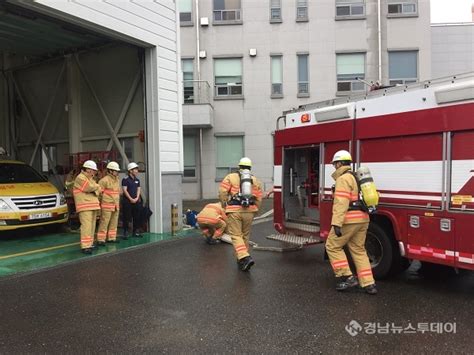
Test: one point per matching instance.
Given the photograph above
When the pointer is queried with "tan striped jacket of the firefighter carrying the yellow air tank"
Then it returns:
(346, 191)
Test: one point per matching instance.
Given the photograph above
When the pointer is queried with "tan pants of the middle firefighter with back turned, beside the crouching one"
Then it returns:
(238, 227)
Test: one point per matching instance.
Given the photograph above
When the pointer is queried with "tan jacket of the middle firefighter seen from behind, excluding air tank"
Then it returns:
(231, 186)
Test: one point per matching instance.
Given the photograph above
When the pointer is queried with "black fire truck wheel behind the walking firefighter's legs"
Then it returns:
(380, 250)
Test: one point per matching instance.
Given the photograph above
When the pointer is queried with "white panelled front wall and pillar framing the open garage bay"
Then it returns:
(150, 24)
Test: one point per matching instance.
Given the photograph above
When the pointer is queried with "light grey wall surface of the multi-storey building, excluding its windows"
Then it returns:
(322, 37)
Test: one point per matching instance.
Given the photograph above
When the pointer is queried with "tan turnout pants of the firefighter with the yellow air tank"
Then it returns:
(353, 235)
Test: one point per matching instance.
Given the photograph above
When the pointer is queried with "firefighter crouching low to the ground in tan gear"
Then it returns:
(212, 222)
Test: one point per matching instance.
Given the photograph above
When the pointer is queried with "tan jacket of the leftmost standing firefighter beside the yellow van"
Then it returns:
(85, 192)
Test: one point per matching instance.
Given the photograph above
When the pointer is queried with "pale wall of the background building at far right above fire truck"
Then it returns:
(452, 49)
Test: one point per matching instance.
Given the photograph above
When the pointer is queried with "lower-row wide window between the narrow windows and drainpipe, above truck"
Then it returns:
(350, 67)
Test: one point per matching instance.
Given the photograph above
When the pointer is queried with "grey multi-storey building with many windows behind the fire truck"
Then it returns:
(245, 61)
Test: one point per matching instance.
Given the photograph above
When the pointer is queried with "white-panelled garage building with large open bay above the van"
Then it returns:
(88, 76)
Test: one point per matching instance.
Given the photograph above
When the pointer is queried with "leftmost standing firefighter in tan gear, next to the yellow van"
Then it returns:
(86, 198)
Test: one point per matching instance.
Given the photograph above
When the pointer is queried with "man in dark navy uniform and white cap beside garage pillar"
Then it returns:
(131, 201)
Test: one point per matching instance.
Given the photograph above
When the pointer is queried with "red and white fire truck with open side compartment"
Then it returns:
(418, 142)
